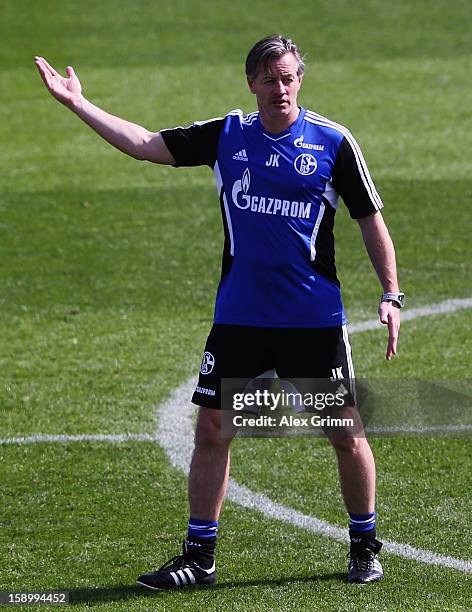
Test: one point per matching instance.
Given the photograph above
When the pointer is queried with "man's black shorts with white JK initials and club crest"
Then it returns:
(240, 352)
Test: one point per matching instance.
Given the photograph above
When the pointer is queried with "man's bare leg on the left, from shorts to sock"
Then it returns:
(209, 470)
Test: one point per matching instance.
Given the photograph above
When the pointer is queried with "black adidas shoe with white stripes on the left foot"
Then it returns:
(180, 571)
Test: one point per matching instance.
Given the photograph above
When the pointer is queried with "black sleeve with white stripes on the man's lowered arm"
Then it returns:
(351, 180)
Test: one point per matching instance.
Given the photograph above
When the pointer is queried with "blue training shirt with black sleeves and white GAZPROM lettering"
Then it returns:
(278, 195)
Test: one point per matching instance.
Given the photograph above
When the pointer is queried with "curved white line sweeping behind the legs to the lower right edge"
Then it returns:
(175, 435)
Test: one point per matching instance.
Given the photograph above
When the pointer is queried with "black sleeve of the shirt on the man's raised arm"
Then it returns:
(195, 145)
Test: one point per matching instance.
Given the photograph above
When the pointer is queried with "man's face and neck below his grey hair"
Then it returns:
(276, 91)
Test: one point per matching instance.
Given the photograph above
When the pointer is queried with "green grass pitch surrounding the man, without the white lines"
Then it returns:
(108, 270)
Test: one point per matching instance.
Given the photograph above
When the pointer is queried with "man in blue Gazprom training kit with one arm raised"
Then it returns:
(279, 174)
